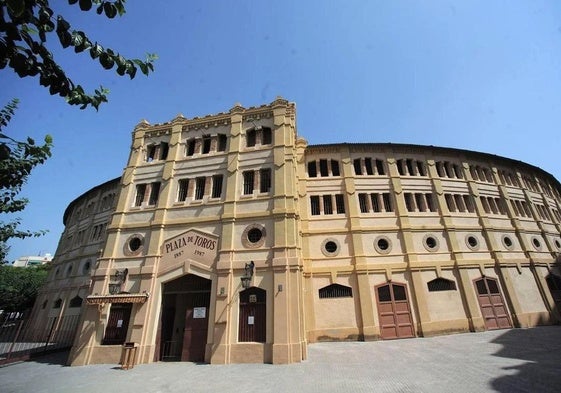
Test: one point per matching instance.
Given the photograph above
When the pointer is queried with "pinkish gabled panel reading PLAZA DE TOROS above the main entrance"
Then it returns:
(193, 245)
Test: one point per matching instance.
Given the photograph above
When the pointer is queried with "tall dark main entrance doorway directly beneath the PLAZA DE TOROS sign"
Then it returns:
(184, 320)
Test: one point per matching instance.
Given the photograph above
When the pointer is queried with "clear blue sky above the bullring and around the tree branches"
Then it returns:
(475, 75)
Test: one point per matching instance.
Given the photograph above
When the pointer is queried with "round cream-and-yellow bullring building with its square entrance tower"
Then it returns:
(229, 239)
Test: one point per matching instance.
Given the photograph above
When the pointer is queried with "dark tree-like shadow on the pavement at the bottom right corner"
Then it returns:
(540, 349)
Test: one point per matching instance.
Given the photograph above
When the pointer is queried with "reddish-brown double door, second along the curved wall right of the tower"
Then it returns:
(493, 308)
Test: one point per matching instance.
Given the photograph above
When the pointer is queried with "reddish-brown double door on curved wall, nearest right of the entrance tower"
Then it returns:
(394, 312)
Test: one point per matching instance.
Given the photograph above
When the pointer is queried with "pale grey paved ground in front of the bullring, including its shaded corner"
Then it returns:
(516, 360)
